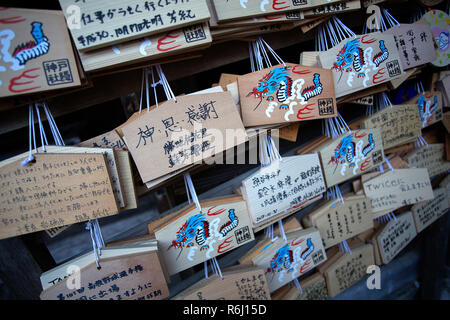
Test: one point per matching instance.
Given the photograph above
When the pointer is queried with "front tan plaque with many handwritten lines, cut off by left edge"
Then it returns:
(56, 190)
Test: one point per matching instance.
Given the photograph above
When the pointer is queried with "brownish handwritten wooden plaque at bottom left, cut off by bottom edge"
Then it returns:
(135, 277)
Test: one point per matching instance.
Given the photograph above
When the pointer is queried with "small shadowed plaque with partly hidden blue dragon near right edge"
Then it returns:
(430, 107)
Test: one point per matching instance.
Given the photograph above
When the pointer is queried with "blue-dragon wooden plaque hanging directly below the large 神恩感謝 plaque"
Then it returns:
(192, 237)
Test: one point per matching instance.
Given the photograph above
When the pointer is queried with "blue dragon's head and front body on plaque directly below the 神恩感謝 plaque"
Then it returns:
(196, 228)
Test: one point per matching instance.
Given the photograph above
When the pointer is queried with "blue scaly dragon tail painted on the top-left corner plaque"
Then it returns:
(32, 49)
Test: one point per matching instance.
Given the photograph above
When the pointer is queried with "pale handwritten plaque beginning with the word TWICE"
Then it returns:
(394, 189)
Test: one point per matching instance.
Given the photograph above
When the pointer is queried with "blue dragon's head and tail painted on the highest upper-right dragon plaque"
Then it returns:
(352, 55)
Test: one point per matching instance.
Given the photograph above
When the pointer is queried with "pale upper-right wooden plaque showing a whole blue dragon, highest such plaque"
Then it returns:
(361, 62)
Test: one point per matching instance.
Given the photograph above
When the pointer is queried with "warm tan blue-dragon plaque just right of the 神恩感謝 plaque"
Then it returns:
(288, 93)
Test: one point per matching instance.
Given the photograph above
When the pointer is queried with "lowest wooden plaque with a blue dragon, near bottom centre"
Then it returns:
(284, 262)
